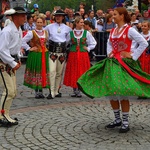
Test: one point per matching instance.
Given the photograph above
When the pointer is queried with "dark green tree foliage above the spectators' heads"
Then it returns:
(45, 5)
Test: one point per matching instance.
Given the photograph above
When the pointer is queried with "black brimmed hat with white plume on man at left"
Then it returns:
(15, 10)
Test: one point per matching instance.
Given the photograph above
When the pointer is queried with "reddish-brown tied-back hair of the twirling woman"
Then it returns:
(123, 11)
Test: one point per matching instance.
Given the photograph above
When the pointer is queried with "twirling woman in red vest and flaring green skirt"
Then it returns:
(119, 76)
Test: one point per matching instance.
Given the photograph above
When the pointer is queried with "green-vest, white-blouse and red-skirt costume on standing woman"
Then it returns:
(78, 61)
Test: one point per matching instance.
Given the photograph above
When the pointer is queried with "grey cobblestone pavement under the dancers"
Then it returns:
(72, 123)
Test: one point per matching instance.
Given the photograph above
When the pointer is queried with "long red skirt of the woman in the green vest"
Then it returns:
(77, 64)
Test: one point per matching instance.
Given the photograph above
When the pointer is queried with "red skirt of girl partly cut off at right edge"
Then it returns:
(145, 62)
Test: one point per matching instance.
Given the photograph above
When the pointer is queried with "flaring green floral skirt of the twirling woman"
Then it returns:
(109, 78)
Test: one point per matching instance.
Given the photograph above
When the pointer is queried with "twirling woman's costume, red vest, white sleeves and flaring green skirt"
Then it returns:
(116, 77)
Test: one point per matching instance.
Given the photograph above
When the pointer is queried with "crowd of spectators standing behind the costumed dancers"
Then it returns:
(95, 21)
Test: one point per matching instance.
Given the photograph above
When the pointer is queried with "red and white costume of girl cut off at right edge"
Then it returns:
(145, 57)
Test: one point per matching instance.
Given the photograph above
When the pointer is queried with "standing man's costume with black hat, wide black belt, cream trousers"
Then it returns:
(58, 39)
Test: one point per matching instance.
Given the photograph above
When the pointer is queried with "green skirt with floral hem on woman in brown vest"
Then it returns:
(33, 71)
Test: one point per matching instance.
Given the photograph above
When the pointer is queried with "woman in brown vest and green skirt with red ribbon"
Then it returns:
(37, 66)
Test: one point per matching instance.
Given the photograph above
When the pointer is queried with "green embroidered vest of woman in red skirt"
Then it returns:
(81, 43)
